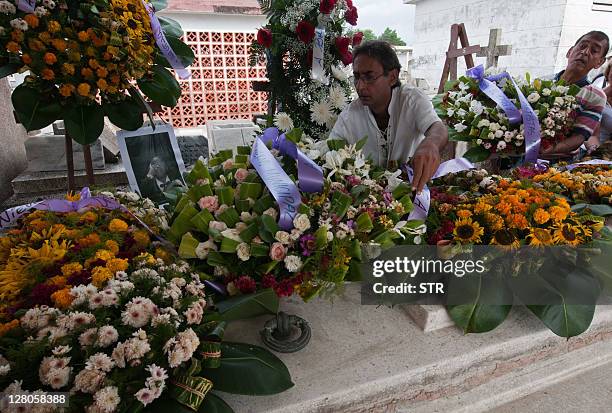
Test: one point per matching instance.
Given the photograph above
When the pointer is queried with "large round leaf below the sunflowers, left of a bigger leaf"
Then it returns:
(475, 317)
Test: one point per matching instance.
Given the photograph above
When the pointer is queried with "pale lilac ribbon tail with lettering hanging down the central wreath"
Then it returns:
(278, 182)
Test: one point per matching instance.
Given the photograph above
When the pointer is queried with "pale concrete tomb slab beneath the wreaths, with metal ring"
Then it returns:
(366, 358)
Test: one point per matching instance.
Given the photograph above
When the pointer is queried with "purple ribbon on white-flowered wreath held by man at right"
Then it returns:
(530, 119)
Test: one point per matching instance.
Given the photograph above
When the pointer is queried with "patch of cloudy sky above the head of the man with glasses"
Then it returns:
(379, 14)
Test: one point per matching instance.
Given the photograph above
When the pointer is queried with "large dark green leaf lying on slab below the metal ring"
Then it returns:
(259, 371)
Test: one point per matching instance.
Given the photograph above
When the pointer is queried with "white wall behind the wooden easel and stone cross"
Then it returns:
(534, 29)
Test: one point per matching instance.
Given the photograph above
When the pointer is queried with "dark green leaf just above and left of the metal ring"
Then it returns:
(247, 306)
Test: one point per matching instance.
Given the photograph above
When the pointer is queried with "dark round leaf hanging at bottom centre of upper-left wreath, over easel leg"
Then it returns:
(84, 124)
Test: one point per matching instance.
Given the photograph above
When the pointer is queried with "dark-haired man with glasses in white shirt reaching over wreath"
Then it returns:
(399, 121)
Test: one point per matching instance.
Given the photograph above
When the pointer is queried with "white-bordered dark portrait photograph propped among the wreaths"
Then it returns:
(152, 161)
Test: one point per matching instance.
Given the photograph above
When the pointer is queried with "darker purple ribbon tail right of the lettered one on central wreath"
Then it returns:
(310, 175)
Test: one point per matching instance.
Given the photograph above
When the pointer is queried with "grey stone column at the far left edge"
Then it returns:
(12, 137)
